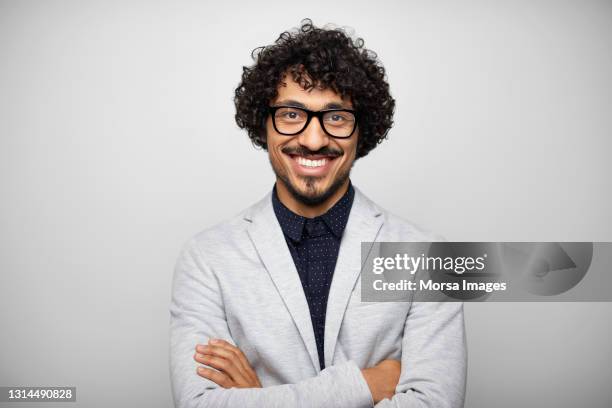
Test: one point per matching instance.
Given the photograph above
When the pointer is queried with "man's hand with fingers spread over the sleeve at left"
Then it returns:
(233, 367)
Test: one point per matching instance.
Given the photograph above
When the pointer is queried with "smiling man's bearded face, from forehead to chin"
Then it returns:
(312, 165)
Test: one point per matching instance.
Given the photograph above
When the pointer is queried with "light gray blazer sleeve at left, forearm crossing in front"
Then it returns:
(197, 314)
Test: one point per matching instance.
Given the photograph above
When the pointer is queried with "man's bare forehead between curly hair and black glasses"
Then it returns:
(314, 98)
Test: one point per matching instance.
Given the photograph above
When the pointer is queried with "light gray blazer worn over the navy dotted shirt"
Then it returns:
(237, 281)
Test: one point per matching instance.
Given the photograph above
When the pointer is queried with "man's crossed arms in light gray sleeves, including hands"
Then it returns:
(431, 372)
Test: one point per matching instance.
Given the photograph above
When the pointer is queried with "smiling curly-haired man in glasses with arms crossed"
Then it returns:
(266, 308)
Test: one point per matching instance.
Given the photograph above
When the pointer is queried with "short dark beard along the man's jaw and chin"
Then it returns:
(311, 196)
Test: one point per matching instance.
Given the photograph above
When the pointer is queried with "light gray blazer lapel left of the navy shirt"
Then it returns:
(269, 241)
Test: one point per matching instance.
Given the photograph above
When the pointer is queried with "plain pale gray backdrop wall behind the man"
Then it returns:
(117, 144)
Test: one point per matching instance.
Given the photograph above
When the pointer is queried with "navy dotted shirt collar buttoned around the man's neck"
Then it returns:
(335, 218)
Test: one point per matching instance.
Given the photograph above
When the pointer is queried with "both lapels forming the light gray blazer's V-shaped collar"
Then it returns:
(363, 225)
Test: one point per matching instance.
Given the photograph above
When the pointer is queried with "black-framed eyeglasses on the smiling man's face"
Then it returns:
(289, 120)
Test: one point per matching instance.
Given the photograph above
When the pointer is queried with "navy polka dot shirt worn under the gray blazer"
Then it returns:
(314, 245)
